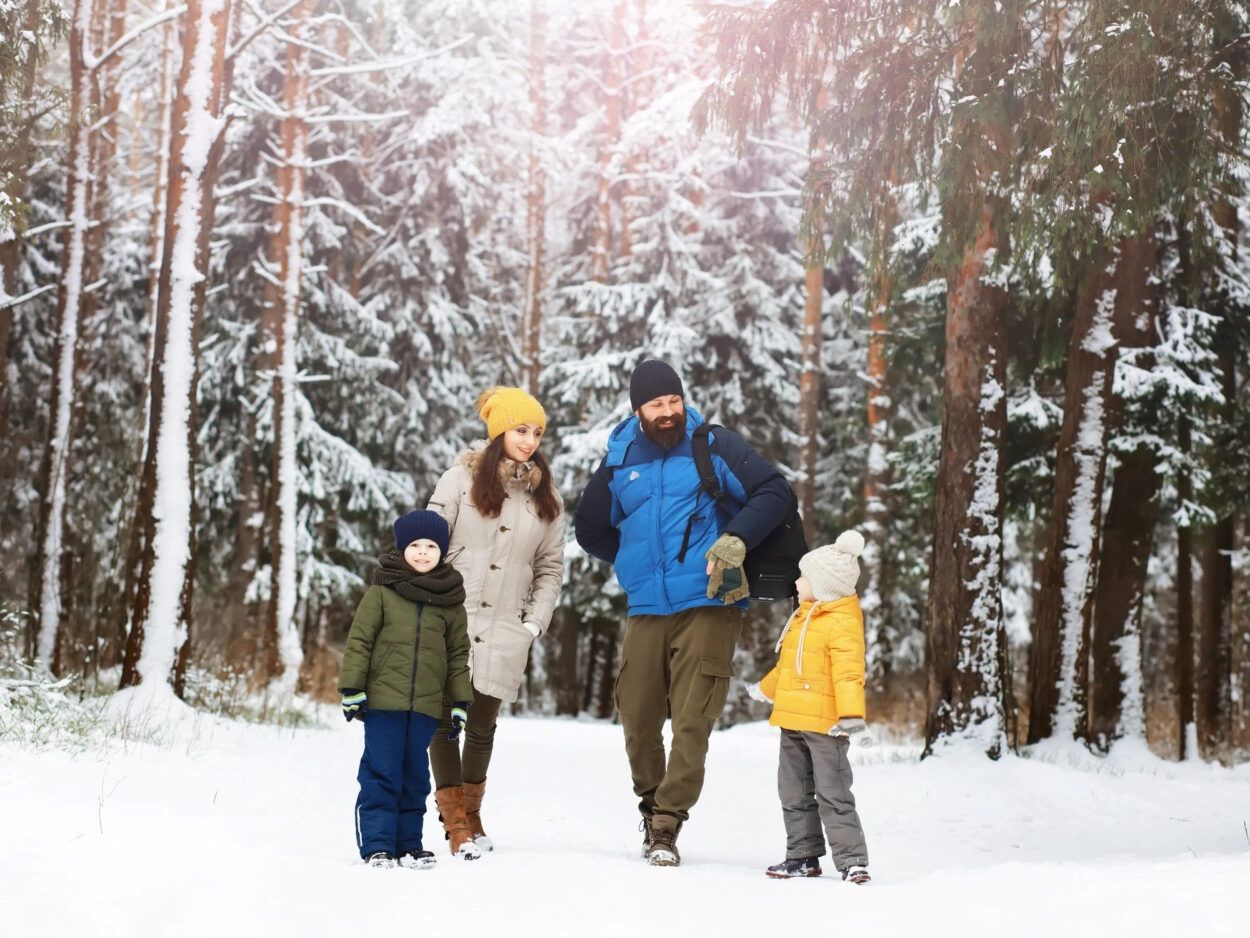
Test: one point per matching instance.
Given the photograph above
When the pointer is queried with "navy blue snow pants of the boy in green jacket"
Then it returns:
(394, 782)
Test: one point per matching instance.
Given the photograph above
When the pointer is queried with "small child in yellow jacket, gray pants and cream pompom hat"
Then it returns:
(817, 691)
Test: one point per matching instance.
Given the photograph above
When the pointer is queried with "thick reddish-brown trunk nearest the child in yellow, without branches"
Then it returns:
(966, 641)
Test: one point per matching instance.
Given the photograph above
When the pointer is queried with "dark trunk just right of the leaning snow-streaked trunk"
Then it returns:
(1116, 700)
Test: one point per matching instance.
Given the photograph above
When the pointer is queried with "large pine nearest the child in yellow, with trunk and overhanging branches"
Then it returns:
(898, 61)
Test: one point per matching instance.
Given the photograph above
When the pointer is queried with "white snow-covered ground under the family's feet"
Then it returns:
(237, 830)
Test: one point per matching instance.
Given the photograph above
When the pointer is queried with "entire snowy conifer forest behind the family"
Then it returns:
(973, 273)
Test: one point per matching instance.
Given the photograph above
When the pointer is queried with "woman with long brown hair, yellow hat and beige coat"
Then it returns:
(507, 525)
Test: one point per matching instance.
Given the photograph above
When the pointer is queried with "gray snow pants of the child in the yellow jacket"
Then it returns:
(814, 782)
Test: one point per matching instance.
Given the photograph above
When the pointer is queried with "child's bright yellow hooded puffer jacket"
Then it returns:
(819, 676)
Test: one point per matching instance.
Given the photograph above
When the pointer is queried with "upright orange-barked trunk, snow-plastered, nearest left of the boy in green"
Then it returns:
(283, 648)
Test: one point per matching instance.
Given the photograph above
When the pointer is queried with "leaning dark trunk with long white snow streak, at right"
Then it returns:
(1059, 662)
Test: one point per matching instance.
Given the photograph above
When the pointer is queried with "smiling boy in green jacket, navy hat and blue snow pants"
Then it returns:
(407, 651)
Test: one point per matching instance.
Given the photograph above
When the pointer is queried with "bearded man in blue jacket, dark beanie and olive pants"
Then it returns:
(679, 556)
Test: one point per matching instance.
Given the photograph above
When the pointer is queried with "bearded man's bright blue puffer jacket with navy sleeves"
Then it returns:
(636, 510)
